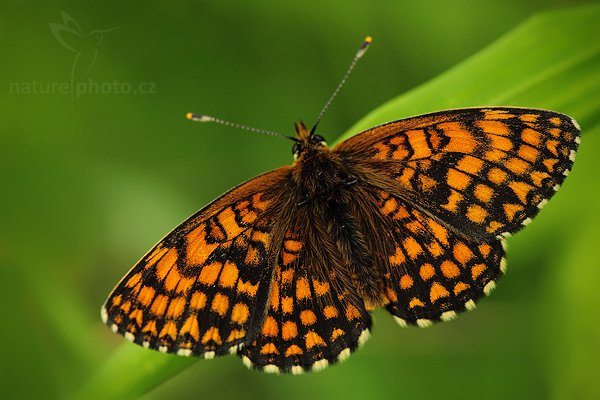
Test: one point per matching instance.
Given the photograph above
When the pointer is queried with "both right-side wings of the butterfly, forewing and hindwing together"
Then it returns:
(448, 187)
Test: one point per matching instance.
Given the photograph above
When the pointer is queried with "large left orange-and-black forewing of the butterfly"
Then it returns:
(203, 289)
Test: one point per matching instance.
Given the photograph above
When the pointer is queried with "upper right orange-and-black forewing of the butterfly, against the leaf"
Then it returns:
(483, 171)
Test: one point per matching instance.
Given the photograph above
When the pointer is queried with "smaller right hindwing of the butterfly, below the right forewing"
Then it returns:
(432, 272)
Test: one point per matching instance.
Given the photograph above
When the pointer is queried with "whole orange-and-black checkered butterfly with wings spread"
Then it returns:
(411, 215)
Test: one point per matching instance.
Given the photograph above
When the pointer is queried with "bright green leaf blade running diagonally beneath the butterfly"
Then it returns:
(550, 61)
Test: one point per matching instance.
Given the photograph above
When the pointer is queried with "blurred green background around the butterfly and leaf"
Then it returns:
(91, 180)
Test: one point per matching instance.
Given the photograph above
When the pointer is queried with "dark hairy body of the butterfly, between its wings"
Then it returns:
(329, 193)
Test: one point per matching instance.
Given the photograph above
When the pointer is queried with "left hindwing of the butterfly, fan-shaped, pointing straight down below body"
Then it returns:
(315, 317)
